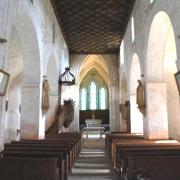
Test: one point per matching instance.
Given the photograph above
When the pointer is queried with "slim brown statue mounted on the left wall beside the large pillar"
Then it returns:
(45, 95)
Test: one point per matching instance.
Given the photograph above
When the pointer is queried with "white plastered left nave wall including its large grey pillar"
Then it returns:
(34, 25)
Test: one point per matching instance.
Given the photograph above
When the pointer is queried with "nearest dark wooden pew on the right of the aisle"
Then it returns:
(151, 167)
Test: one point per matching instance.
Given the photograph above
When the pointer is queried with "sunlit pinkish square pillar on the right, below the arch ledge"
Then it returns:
(156, 122)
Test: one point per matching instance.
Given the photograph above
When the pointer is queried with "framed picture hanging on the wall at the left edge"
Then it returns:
(4, 79)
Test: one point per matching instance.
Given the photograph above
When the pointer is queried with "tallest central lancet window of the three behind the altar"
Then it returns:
(93, 92)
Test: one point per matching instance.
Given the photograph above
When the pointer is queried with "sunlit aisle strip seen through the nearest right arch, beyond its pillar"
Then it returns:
(170, 68)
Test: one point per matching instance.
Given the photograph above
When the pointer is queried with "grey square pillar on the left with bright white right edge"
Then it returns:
(32, 123)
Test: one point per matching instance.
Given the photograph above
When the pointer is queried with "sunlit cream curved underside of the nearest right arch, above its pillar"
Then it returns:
(160, 27)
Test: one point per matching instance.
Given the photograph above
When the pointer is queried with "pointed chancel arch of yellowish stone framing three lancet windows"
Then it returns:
(94, 83)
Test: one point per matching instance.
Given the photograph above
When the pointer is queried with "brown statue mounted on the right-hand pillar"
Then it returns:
(140, 97)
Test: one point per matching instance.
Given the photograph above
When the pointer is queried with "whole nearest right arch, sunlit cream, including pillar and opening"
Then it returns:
(161, 57)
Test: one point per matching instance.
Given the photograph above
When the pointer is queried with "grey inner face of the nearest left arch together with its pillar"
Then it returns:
(31, 125)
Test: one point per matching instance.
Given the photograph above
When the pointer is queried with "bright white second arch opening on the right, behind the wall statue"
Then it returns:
(136, 116)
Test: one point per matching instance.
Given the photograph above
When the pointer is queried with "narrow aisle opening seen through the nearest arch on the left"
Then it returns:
(13, 97)
